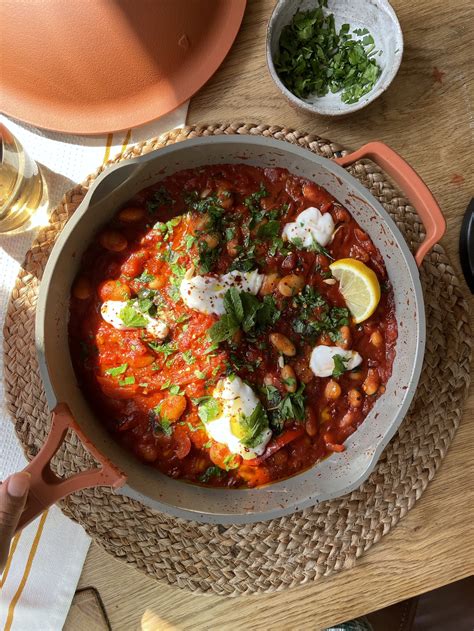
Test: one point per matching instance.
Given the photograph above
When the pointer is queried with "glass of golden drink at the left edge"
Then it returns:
(23, 193)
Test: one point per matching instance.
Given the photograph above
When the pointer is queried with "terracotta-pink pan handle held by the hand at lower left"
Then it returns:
(46, 488)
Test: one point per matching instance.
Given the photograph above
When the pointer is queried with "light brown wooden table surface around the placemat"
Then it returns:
(426, 116)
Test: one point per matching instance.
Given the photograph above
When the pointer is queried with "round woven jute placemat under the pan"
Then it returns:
(281, 553)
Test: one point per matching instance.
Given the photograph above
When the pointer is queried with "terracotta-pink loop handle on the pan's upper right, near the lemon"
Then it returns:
(412, 186)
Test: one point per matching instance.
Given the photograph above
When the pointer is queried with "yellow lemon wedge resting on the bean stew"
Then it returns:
(359, 286)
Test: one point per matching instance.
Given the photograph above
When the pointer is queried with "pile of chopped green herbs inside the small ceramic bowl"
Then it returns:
(314, 58)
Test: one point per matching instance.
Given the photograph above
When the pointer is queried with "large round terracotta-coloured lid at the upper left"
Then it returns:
(98, 66)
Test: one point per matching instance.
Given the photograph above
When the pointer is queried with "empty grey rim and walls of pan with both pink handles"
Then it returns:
(335, 476)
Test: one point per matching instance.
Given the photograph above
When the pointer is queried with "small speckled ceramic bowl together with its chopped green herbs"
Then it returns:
(332, 57)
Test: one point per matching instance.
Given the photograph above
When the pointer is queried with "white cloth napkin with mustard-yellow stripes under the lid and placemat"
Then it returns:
(46, 559)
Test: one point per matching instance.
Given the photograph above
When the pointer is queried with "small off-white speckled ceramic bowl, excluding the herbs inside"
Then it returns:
(375, 15)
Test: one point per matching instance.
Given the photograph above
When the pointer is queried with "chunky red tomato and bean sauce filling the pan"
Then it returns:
(212, 220)
